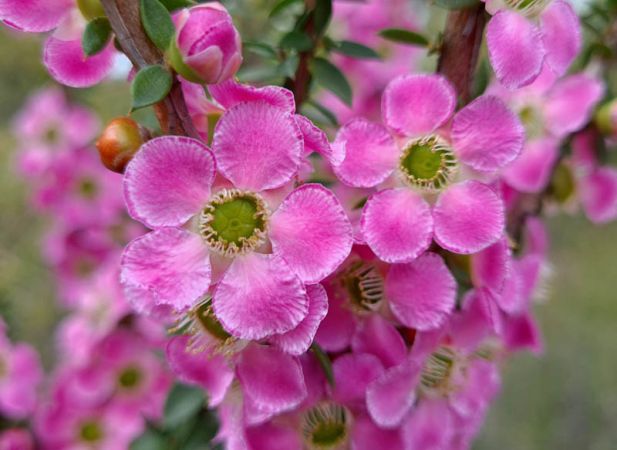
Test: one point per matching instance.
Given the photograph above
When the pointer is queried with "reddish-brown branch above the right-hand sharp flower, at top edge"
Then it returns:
(460, 48)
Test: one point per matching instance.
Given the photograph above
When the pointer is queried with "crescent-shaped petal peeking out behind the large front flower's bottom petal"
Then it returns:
(298, 340)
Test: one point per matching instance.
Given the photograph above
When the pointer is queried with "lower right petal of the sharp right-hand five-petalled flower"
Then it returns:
(469, 216)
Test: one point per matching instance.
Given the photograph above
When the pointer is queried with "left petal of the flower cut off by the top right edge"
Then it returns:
(515, 49)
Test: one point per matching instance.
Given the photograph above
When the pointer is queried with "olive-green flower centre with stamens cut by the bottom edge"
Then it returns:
(325, 427)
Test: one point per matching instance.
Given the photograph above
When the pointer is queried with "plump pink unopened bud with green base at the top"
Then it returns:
(207, 47)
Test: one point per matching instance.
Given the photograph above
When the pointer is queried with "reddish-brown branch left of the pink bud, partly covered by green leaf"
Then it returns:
(125, 21)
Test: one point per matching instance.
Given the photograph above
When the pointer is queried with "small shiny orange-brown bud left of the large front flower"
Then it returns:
(119, 142)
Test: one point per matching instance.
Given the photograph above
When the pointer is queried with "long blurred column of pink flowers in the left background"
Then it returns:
(107, 380)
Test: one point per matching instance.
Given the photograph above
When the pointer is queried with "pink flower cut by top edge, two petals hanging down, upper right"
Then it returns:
(523, 34)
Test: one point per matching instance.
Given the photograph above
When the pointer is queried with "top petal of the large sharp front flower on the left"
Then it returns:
(257, 146)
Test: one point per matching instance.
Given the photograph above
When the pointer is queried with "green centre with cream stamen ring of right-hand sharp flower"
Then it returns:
(428, 163)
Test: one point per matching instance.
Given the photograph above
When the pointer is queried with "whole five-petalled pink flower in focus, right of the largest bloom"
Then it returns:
(416, 153)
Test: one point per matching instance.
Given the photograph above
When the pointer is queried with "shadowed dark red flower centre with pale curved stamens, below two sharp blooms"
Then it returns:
(364, 285)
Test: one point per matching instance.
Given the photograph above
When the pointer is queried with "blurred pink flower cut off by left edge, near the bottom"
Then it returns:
(20, 375)
